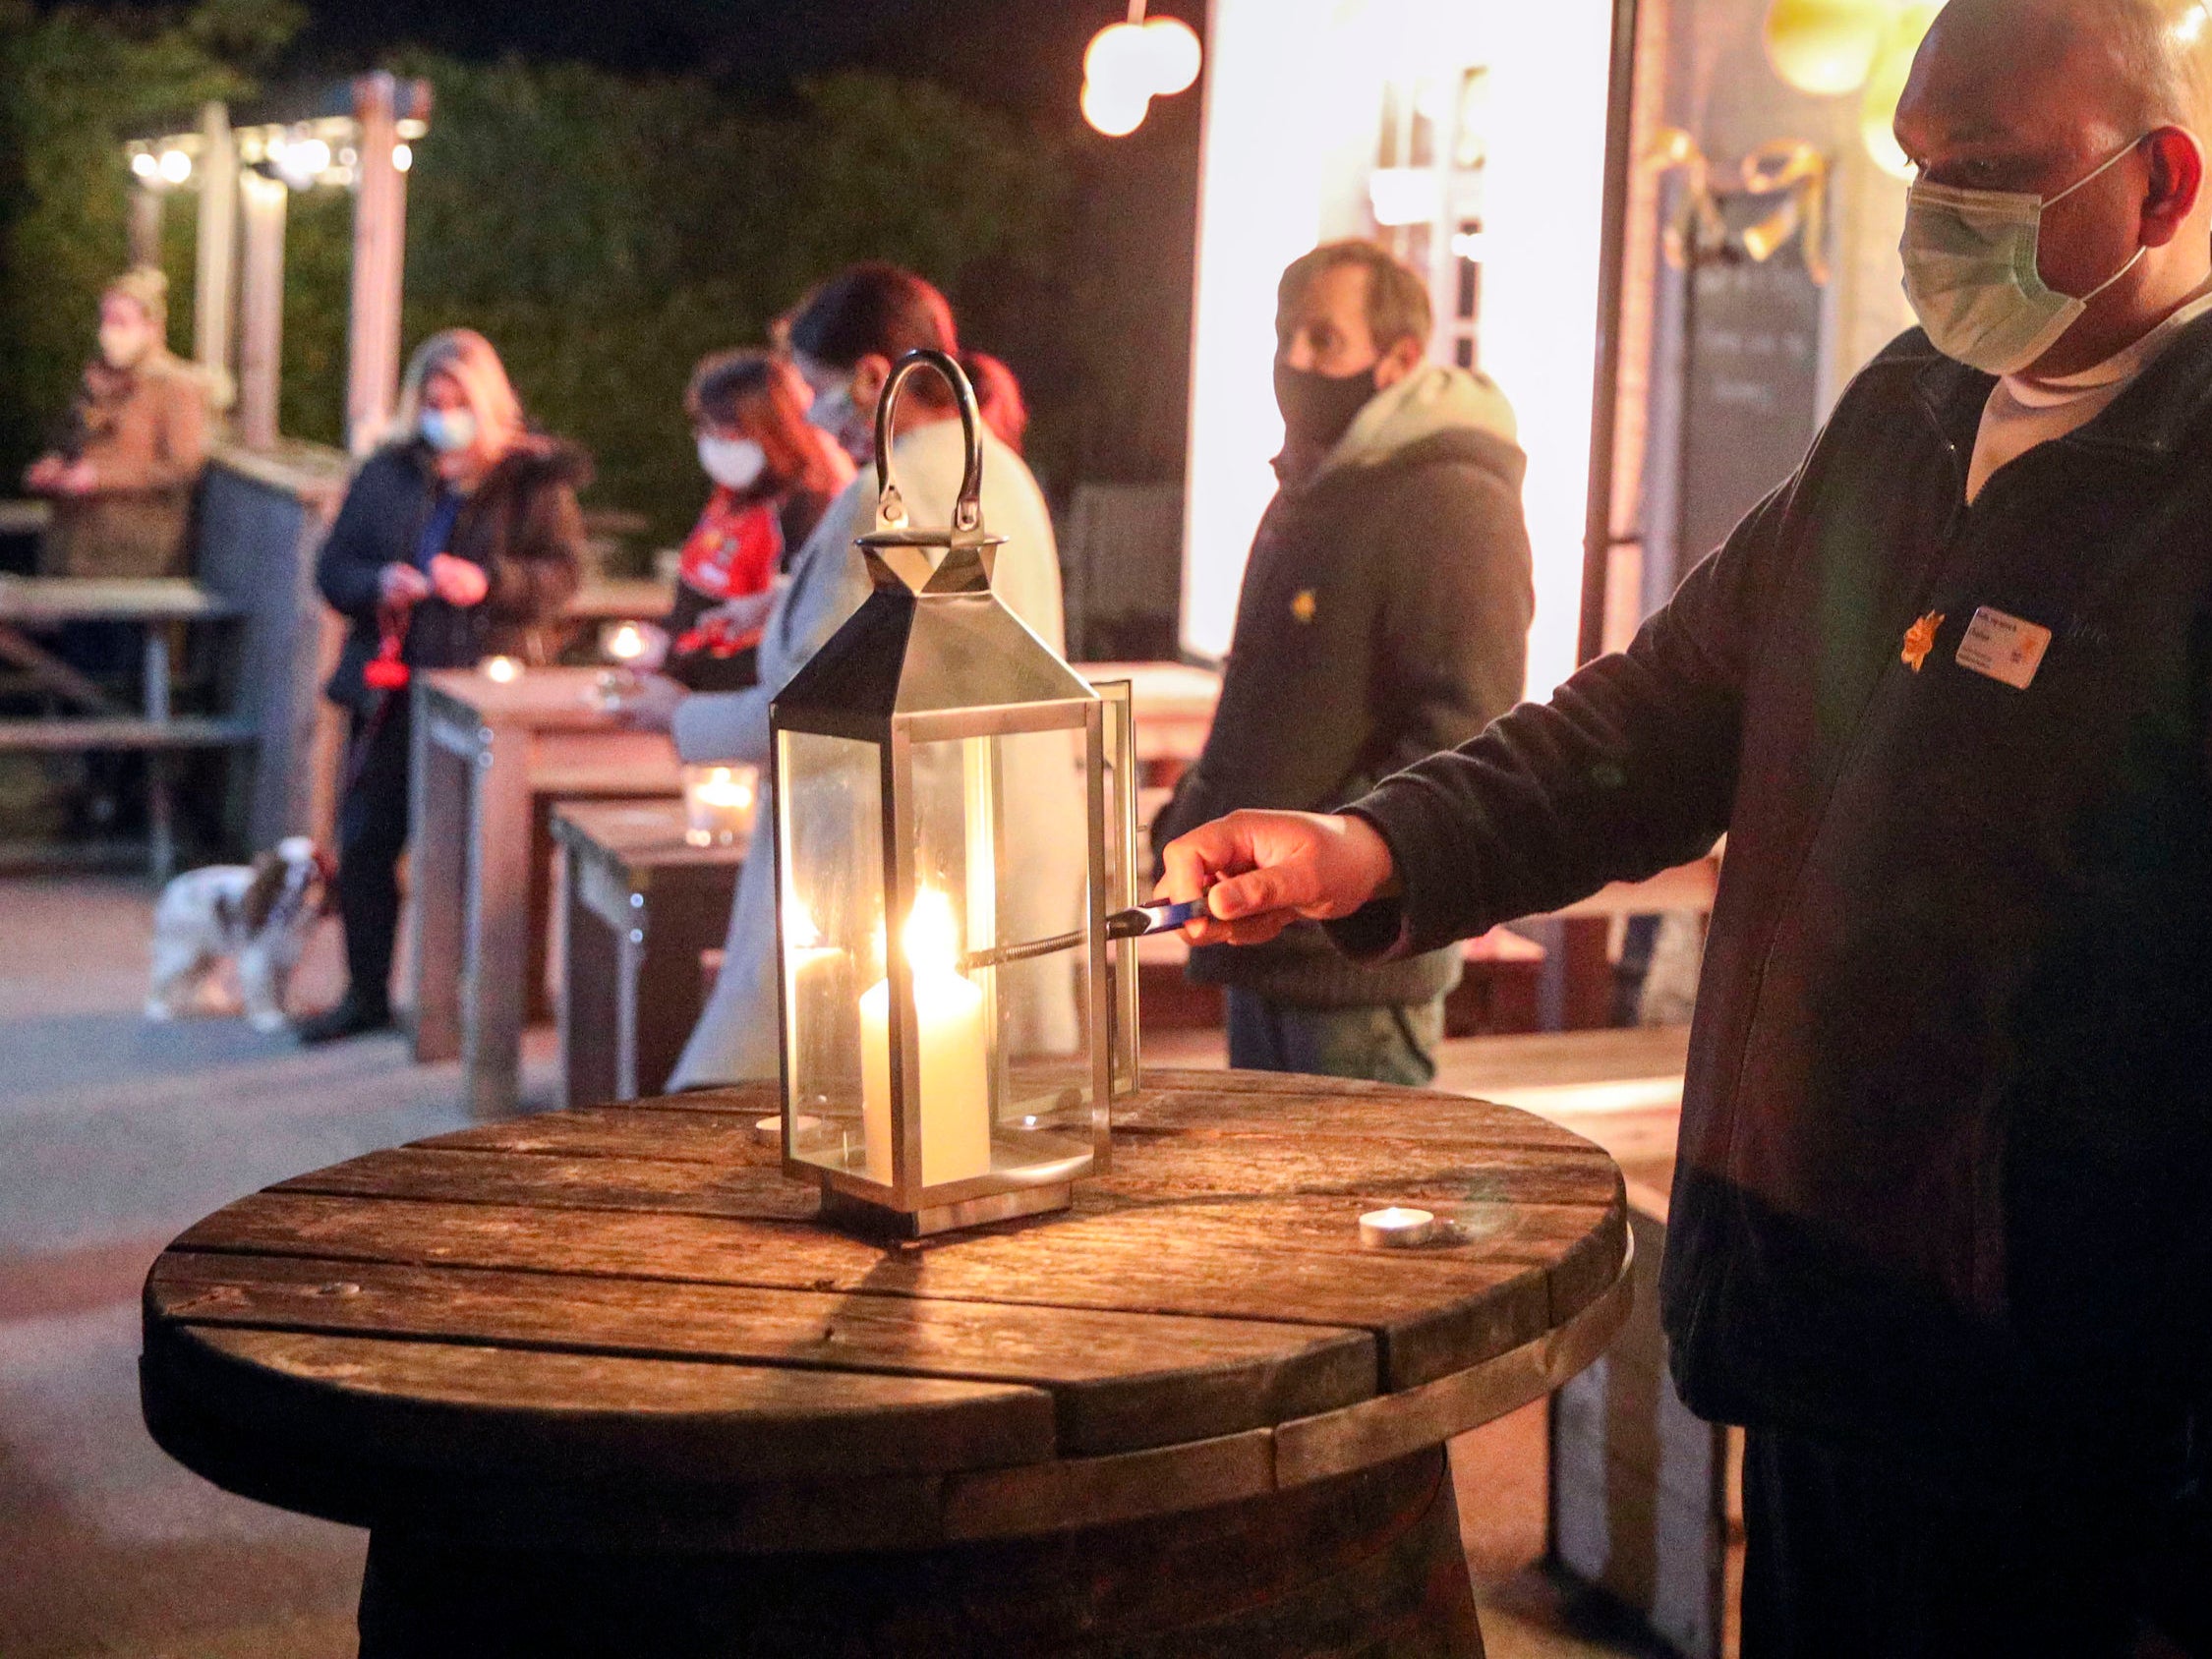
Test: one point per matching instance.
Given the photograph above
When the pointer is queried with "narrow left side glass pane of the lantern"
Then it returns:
(831, 864)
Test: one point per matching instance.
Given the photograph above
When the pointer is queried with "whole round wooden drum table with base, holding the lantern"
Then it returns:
(596, 1384)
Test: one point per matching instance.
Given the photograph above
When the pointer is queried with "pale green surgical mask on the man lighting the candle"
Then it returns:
(1972, 273)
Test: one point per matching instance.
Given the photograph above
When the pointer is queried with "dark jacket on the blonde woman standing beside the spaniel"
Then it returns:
(521, 525)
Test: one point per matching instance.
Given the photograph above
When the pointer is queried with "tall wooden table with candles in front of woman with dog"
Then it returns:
(490, 762)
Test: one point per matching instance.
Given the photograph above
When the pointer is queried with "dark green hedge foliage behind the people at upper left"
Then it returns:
(603, 231)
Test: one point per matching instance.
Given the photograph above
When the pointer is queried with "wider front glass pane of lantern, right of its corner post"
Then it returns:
(1003, 848)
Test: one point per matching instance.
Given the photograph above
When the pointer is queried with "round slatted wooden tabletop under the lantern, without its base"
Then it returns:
(640, 1293)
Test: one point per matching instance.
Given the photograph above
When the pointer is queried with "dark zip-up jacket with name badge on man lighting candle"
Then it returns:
(1945, 1171)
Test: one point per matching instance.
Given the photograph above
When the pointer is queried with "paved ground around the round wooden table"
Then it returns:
(118, 1134)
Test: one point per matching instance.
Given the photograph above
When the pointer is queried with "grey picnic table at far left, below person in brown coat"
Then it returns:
(34, 605)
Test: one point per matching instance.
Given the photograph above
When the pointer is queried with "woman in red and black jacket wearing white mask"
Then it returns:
(775, 474)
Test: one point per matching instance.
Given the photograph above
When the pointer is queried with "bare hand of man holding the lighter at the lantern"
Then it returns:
(1266, 870)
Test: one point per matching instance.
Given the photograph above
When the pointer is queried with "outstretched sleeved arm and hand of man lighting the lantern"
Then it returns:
(1631, 769)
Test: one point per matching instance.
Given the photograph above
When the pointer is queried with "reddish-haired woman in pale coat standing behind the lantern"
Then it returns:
(844, 340)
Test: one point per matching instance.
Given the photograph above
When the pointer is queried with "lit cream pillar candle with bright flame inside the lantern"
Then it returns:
(952, 1092)
